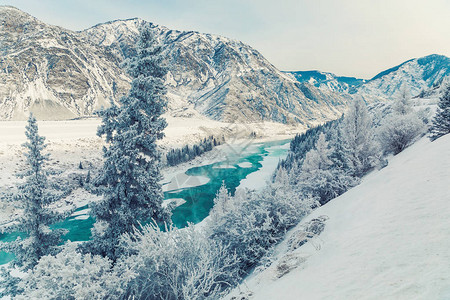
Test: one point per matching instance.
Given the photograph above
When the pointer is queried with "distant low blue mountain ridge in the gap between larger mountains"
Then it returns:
(341, 84)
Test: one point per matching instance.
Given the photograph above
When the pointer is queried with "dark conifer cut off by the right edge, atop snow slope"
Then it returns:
(441, 121)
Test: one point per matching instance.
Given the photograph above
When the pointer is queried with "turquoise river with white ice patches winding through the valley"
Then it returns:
(234, 164)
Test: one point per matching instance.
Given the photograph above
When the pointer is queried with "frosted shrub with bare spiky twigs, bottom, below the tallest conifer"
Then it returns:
(177, 264)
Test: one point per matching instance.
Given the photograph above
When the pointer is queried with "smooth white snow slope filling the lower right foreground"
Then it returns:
(387, 238)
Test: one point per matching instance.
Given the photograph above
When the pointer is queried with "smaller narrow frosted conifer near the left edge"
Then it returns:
(34, 196)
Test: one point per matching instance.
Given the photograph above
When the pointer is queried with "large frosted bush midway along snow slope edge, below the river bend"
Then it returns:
(250, 223)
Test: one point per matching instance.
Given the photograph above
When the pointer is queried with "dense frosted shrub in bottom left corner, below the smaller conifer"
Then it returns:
(71, 275)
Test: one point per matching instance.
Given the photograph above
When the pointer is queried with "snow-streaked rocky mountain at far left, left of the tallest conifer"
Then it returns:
(54, 72)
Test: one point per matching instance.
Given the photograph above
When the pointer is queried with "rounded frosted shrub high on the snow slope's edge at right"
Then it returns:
(399, 131)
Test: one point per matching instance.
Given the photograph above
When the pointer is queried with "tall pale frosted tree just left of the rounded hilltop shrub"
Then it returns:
(361, 149)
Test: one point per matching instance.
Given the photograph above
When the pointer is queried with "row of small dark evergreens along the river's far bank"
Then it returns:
(187, 153)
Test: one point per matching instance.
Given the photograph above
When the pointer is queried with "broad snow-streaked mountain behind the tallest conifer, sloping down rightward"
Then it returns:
(222, 78)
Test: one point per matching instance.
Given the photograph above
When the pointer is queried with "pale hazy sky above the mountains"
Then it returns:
(347, 37)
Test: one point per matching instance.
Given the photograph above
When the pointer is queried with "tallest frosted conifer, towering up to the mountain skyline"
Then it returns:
(131, 170)
